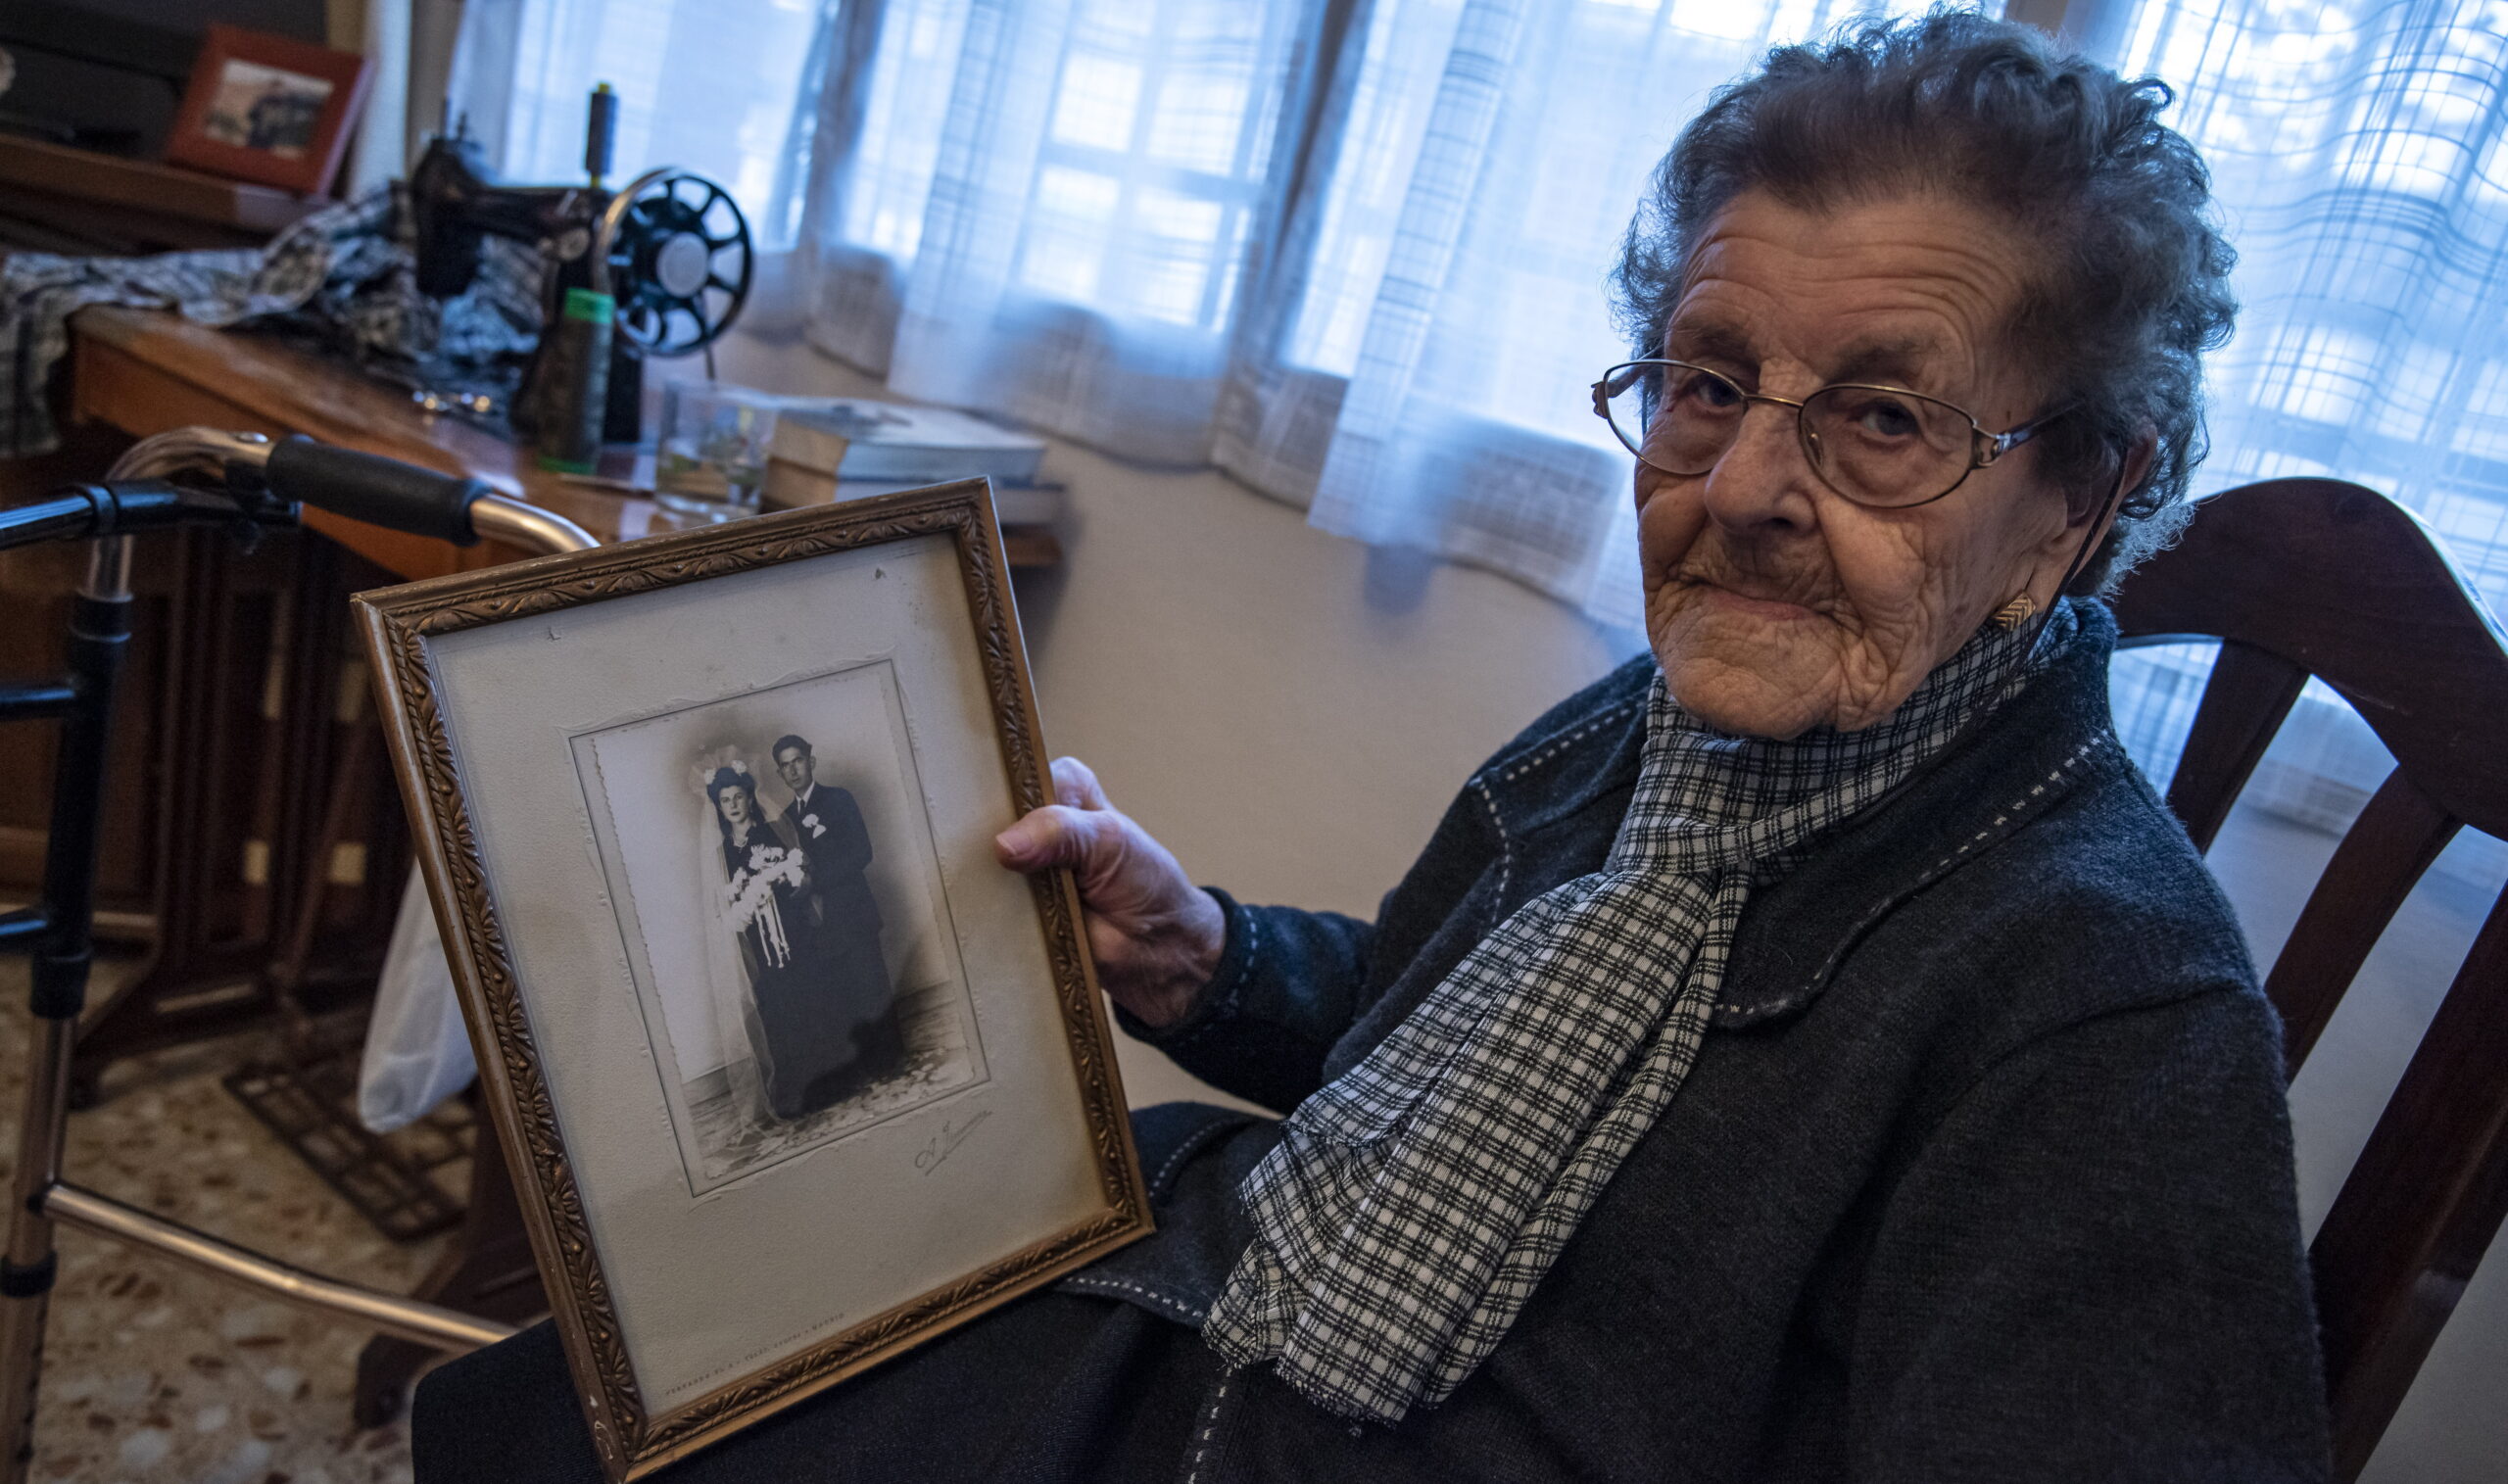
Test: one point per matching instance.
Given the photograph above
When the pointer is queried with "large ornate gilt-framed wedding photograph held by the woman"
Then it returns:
(789, 1069)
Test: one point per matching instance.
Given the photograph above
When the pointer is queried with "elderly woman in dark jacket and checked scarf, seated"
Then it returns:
(1807, 1054)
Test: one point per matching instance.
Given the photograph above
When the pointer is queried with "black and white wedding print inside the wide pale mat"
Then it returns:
(776, 884)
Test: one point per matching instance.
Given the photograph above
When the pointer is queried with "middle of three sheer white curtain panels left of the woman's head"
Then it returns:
(1047, 207)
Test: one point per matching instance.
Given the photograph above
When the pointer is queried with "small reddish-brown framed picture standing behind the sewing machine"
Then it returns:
(267, 109)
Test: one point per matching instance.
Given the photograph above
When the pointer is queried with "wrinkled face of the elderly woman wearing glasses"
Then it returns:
(1774, 603)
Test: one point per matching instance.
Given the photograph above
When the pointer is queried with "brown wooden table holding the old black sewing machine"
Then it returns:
(147, 372)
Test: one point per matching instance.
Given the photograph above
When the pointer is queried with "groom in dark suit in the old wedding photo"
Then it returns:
(844, 916)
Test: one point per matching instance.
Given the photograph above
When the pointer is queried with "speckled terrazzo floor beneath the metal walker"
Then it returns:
(164, 1377)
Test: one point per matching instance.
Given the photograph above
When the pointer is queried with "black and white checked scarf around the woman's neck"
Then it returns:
(1416, 1202)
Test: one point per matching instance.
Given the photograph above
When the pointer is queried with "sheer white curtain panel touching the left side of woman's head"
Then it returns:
(1494, 157)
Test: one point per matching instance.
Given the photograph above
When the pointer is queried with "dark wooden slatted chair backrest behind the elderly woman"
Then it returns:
(2321, 578)
